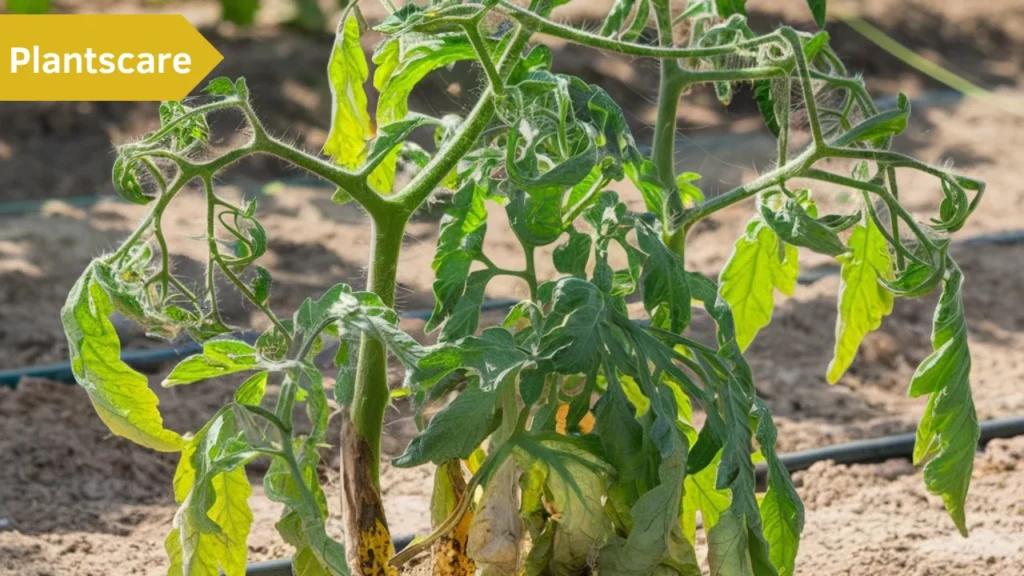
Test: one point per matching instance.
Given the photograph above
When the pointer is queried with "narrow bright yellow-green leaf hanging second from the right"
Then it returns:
(864, 301)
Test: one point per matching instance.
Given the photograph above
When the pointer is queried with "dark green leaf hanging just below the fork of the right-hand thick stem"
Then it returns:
(666, 293)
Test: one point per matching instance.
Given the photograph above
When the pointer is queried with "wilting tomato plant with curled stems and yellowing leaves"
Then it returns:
(575, 417)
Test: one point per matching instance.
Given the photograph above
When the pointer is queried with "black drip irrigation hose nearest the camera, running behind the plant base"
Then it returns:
(863, 452)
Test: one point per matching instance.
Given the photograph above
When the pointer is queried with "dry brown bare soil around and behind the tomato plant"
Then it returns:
(76, 501)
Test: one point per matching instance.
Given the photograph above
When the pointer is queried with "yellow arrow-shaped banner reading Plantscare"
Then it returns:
(102, 58)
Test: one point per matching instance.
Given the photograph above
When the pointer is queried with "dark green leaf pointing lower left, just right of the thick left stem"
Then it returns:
(455, 432)
